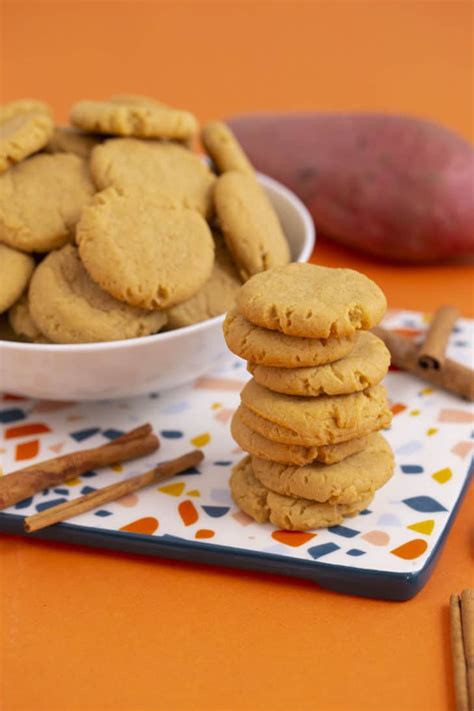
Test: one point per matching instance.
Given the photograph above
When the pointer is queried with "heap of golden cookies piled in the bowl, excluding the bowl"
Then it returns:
(113, 228)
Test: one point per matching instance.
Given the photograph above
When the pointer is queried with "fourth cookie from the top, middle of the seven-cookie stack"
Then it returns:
(312, 421)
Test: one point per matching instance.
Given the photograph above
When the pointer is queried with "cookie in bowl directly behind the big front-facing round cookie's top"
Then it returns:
(174, 173)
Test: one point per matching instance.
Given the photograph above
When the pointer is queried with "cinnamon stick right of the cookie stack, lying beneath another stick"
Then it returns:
(452, 376)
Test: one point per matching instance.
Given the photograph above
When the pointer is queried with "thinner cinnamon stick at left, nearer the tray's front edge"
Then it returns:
(163, 471)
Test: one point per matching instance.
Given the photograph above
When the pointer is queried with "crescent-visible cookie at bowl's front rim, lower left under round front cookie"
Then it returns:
(69, 307)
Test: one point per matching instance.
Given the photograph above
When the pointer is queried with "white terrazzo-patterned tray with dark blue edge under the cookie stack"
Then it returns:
(386, 552)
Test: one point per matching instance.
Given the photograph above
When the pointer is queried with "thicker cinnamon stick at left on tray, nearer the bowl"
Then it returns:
(23, 483)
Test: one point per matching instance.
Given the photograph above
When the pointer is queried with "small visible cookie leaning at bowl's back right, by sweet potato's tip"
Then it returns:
(224, 149)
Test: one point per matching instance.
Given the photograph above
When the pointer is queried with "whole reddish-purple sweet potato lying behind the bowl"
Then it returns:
(392, 186)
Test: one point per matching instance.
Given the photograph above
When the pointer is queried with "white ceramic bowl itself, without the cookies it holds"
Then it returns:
(96, 371)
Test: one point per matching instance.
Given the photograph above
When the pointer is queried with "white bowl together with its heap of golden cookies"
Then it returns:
(122, 248)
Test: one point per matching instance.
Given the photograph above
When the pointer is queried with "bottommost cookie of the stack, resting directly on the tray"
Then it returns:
(288, 513)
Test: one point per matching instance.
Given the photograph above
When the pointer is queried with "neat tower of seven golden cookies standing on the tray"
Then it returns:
(310, 416)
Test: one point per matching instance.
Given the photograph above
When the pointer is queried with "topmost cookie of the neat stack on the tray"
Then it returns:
(311, 301)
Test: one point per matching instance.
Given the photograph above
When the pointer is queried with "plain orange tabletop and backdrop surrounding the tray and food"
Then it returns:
(85, 630)
